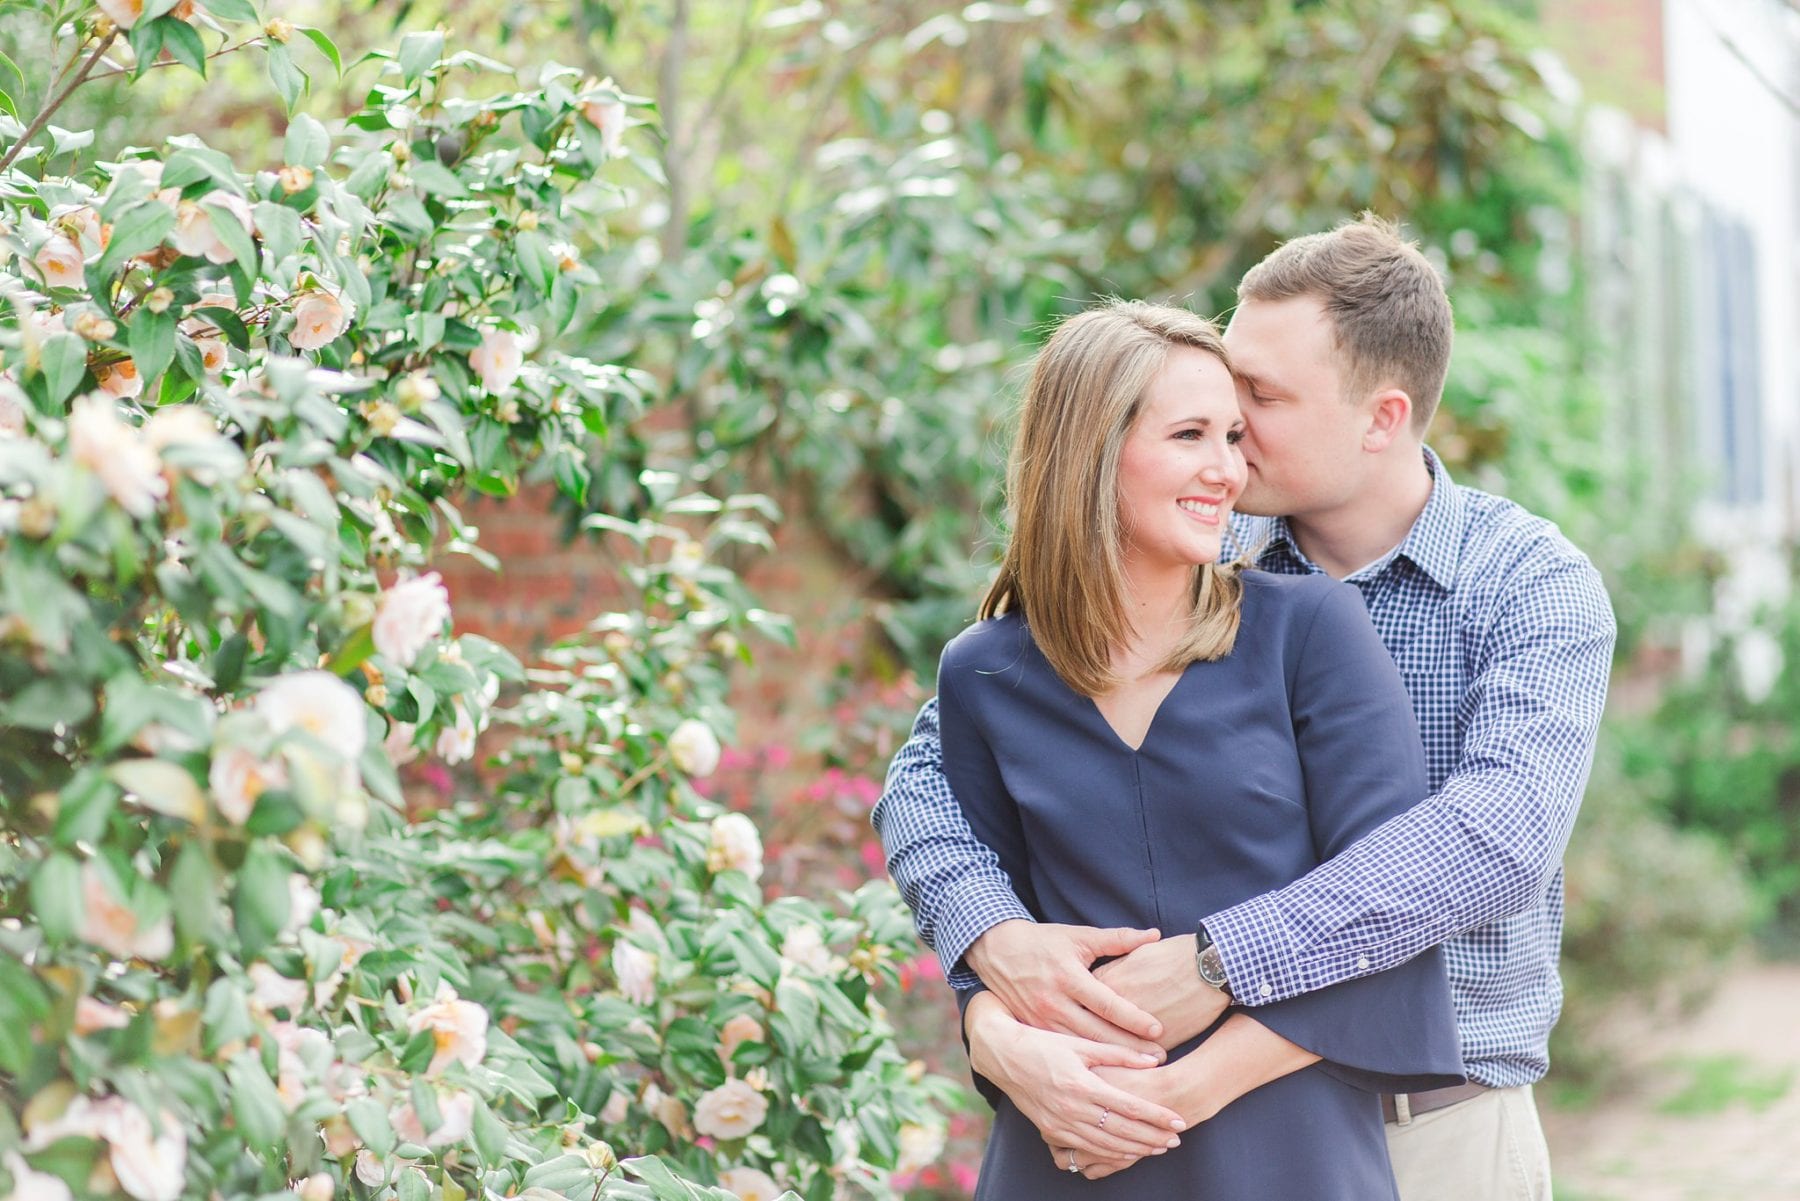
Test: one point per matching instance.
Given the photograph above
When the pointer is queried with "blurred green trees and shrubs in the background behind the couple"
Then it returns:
(856, 217)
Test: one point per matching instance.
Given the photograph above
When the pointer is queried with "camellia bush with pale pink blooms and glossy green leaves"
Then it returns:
(238, 411)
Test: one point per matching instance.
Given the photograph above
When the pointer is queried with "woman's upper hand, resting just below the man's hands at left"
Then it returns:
(1054, 1081)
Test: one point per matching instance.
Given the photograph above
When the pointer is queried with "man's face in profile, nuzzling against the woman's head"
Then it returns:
(1304, 444)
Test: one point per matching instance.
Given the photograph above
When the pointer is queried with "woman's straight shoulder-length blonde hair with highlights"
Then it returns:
(1065, 566)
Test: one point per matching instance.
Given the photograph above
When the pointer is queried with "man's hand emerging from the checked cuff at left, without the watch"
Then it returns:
(1045, 977)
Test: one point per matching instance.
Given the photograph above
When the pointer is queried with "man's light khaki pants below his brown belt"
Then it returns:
(1488, 1148)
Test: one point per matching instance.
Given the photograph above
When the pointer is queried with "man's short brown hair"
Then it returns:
(1390, 316)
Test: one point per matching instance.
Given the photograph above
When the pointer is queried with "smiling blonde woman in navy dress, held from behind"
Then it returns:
(1146, 736)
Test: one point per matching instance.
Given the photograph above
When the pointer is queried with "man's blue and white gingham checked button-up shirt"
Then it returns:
(1504, 637)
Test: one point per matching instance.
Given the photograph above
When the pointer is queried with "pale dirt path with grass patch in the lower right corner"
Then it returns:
(1713, 1106)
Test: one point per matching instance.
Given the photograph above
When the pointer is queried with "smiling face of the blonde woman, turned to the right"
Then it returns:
(1182, 469)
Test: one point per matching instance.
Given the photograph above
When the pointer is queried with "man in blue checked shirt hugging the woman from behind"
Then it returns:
(1504, 637)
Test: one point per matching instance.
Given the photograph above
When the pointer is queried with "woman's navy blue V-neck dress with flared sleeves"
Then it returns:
(1255, 770)
